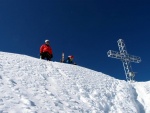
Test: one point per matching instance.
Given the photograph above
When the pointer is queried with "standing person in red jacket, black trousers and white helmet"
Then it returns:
(46, 51)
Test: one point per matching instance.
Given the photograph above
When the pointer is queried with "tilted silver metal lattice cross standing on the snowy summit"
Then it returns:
(125, 58)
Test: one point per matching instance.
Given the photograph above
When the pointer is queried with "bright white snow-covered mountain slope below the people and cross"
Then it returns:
(31, 85)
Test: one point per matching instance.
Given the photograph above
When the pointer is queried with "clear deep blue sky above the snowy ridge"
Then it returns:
(86, 29)
